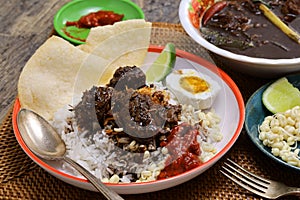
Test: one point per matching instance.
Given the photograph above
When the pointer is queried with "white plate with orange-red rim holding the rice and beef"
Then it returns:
(229, 105)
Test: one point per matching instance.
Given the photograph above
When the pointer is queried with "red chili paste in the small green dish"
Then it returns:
(99, 18)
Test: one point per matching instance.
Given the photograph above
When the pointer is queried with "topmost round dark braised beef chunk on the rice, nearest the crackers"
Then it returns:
(128, 77)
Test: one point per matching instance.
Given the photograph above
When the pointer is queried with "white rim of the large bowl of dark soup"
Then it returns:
(195, 34)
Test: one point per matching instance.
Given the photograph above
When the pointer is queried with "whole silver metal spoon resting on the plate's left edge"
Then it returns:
(43, 140)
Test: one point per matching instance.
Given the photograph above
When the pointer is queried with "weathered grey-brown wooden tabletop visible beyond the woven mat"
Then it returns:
(26, 24)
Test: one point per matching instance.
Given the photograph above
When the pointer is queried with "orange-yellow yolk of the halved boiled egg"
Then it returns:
(193, 84)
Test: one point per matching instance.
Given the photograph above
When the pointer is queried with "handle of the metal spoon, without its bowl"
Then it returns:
(108, 193)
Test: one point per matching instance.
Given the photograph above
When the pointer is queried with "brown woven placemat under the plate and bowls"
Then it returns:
(21, 178)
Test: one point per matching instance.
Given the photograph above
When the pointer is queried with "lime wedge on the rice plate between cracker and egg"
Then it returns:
(163, 65)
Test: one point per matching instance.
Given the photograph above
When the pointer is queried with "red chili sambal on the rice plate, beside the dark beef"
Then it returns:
(184, 151)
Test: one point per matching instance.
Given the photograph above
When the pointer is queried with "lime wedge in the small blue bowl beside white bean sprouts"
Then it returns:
(281, 96)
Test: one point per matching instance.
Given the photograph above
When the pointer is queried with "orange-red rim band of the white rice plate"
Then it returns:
(154, 49)
